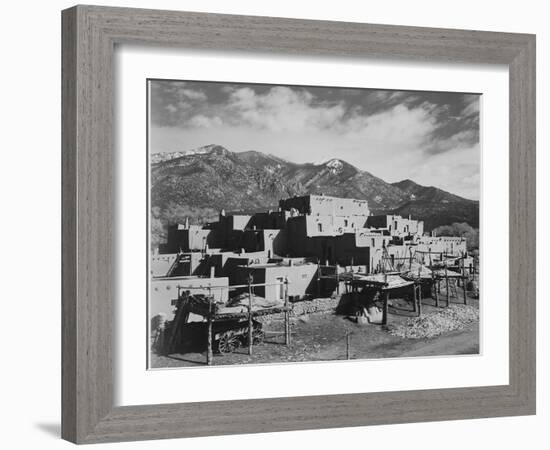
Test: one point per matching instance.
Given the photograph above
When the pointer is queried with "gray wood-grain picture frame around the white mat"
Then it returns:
(90, 34)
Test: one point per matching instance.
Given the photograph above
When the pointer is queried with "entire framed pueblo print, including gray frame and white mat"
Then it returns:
(277, 224)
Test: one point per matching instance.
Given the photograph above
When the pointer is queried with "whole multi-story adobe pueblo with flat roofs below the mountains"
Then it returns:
(307, 240)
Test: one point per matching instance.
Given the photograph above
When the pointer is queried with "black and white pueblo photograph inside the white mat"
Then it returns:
(311, 223)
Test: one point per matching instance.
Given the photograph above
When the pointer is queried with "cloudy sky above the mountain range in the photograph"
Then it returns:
(429, 137)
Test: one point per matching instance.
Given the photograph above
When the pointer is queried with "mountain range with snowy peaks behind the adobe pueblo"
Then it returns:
(201, 182)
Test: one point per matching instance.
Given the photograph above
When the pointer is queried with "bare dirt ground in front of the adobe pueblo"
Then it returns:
(322, 337)
